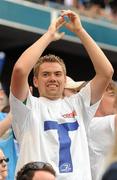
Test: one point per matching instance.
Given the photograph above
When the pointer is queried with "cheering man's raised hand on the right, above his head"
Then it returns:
(74, 23)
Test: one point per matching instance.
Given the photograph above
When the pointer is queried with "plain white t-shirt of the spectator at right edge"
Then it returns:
(100, 139)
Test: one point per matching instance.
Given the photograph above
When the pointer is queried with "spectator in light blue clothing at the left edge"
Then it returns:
(7, 141)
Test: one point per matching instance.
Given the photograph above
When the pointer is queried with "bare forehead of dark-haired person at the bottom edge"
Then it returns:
(43, 175)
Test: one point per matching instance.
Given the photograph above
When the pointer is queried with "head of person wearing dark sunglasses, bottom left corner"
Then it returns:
(3, 165)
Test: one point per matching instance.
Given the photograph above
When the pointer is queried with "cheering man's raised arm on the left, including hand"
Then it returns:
(26, 62)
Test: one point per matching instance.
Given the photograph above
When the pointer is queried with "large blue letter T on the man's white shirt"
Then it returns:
(65, 161)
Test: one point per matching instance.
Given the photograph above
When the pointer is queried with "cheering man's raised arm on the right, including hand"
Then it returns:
(102, 66)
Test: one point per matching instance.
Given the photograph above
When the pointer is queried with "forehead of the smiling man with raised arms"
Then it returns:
(50, 67)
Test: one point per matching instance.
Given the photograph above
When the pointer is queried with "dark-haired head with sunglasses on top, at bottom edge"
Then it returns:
(36, 170)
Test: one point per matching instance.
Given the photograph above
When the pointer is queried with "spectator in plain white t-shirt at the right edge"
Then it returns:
(101, 130)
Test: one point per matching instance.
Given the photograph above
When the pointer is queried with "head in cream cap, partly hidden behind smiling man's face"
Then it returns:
(72, 87)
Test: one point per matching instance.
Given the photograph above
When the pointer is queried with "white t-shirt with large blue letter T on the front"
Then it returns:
(53, 131)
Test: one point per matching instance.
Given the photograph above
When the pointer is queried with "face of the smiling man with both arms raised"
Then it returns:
(51, 80)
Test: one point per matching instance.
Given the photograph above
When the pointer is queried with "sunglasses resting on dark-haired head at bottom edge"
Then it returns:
(38, 166)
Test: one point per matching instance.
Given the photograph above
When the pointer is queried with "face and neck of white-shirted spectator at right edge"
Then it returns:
(107, 104)
